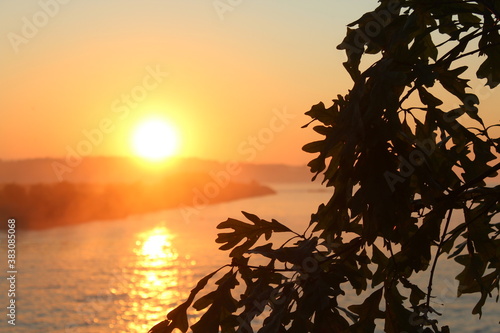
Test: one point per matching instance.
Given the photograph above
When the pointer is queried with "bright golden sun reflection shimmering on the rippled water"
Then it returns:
(157, 278)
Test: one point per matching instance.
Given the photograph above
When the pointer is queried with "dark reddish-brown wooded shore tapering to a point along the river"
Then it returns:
(41, 206)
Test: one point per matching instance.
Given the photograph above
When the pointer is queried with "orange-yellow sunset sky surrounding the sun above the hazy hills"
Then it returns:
(94, 70)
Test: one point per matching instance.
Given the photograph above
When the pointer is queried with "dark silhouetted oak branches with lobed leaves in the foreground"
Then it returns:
(398, 174)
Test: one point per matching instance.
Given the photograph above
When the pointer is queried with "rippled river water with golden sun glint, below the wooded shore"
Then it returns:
(124, 275)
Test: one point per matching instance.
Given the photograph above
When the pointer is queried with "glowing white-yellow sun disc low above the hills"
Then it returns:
(155, 139)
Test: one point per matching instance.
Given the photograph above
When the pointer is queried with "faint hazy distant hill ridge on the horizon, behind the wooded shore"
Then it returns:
(121, 169)
